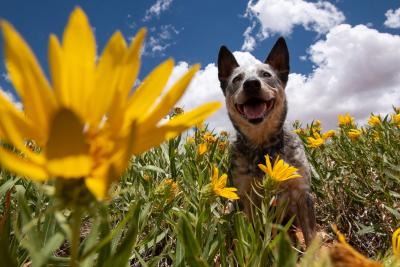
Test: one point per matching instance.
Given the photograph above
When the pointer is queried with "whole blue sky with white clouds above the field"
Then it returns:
(344, 54)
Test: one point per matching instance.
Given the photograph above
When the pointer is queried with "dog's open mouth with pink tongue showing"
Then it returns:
(255, 109)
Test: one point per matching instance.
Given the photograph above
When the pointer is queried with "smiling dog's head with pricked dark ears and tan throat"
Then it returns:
(255, 95)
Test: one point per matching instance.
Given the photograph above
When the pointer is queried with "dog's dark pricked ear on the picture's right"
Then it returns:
(278, 58)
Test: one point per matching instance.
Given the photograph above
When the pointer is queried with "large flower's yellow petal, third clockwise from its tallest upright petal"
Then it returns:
(147, 93)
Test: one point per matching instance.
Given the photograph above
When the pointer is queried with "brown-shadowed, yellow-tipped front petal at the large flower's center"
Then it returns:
(66, 149)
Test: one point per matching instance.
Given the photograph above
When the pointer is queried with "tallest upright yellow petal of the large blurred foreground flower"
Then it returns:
(78, 63)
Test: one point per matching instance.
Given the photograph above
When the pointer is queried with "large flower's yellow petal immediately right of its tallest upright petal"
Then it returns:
(107, 74)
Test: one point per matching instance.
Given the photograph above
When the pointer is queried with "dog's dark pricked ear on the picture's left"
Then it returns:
(226, 64)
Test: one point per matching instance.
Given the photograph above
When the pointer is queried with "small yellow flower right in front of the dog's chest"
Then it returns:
(281, 171)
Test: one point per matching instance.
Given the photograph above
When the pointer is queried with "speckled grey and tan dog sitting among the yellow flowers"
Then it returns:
(256, 104)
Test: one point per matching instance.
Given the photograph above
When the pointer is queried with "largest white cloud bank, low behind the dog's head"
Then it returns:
(356, 70)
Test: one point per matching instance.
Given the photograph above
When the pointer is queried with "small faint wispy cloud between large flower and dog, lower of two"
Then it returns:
(160, 39)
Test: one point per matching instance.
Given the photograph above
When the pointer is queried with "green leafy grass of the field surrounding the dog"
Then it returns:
(163, 212)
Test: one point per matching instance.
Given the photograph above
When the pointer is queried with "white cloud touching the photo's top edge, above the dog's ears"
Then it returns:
(281, 16)
